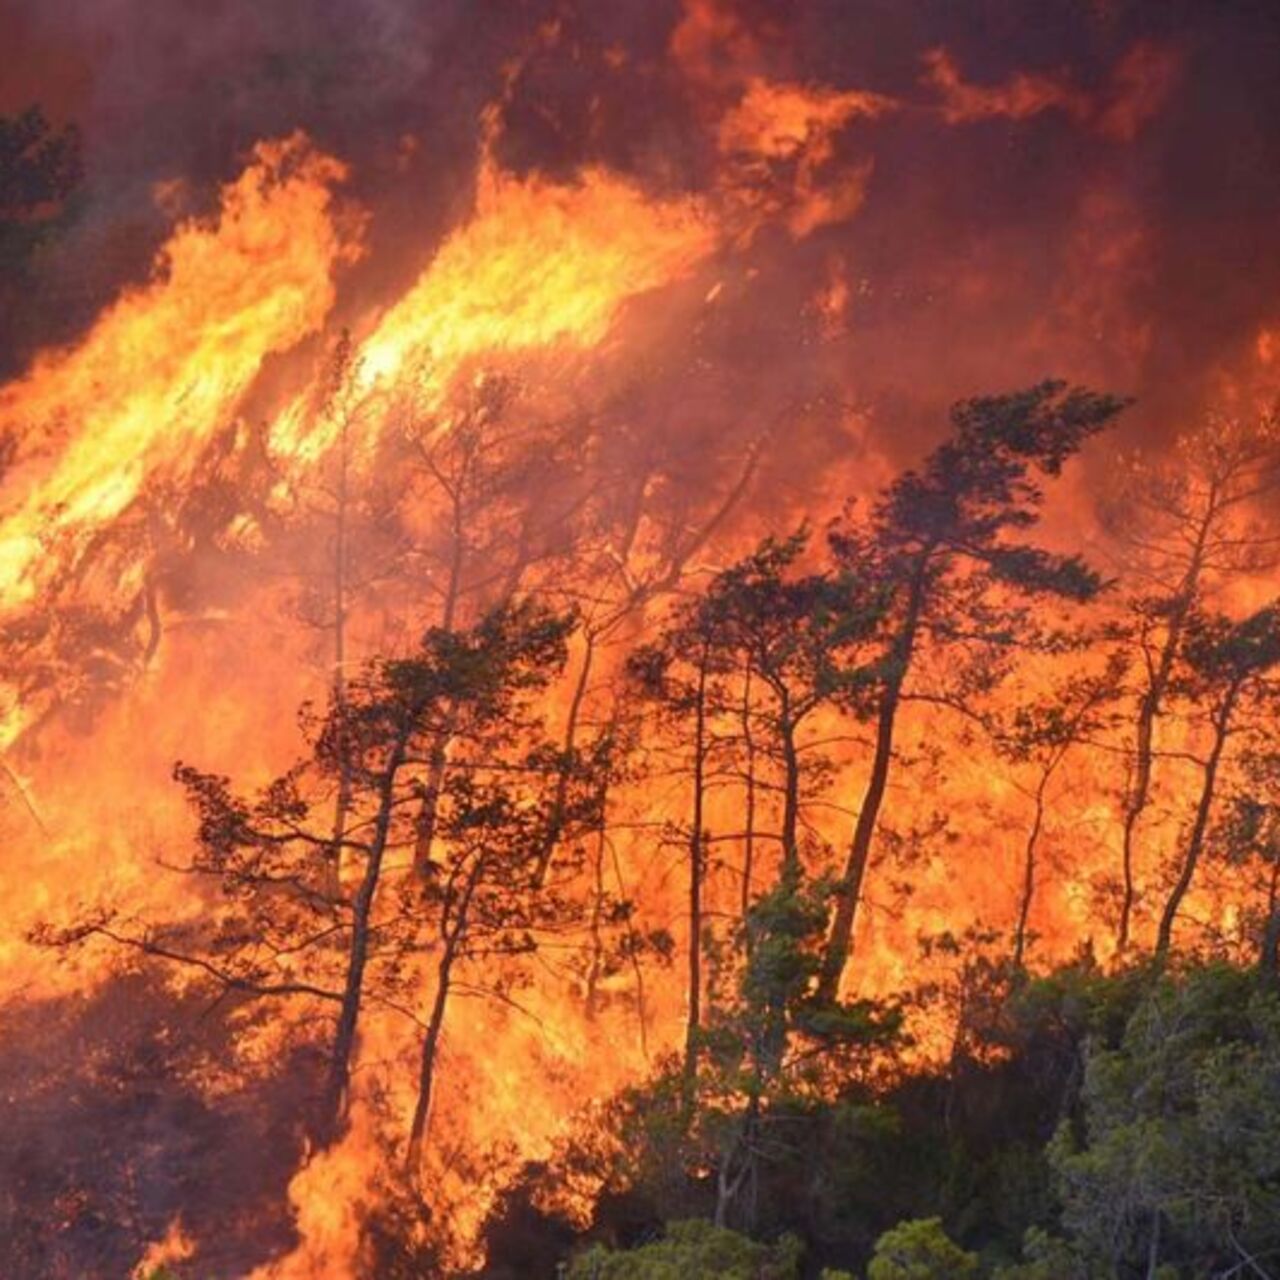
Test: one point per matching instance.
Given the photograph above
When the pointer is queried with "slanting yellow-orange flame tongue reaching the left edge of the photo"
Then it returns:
(164, 368)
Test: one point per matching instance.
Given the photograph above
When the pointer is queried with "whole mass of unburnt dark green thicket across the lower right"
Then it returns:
(1095, 1110)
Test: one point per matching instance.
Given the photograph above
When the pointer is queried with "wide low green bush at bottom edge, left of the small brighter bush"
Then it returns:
(689, 1250)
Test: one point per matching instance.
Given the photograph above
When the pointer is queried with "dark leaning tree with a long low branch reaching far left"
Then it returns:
(282, 934)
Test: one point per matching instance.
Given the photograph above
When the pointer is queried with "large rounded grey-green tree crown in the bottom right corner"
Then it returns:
(1178, 1156)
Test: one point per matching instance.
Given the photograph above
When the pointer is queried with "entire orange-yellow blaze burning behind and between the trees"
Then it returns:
(257, 472)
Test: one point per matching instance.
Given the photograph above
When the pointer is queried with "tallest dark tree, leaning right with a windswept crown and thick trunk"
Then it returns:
(943, 543)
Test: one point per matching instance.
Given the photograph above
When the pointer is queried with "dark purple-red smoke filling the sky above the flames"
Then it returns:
(985, 253)
